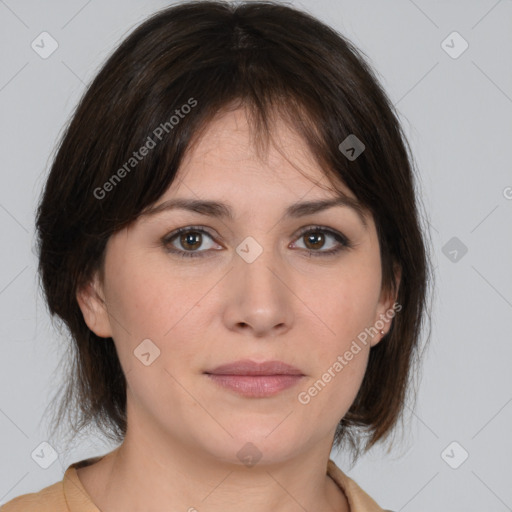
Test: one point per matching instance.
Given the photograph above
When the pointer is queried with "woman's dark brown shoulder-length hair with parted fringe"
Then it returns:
(277, 63)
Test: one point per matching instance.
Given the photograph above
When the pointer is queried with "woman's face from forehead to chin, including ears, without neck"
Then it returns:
(250, 291)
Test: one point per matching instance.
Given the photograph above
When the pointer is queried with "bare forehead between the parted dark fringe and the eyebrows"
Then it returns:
(225, 158)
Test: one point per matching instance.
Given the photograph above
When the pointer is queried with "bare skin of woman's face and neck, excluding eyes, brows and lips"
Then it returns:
(184, 431)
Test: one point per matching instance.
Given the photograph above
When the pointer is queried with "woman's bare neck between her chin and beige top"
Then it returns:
(141, 476)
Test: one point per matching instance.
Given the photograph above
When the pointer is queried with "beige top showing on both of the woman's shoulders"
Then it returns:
(69, 495)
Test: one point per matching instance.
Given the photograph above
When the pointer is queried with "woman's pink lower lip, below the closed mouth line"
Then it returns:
(256, 386)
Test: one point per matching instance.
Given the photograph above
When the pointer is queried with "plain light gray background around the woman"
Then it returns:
(456, 114)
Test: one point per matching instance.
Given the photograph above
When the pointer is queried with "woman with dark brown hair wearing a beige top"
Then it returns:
(230, 233)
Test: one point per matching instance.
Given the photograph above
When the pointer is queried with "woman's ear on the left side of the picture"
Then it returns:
(90, 298)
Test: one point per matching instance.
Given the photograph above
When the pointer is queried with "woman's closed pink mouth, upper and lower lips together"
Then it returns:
(255, 380)
